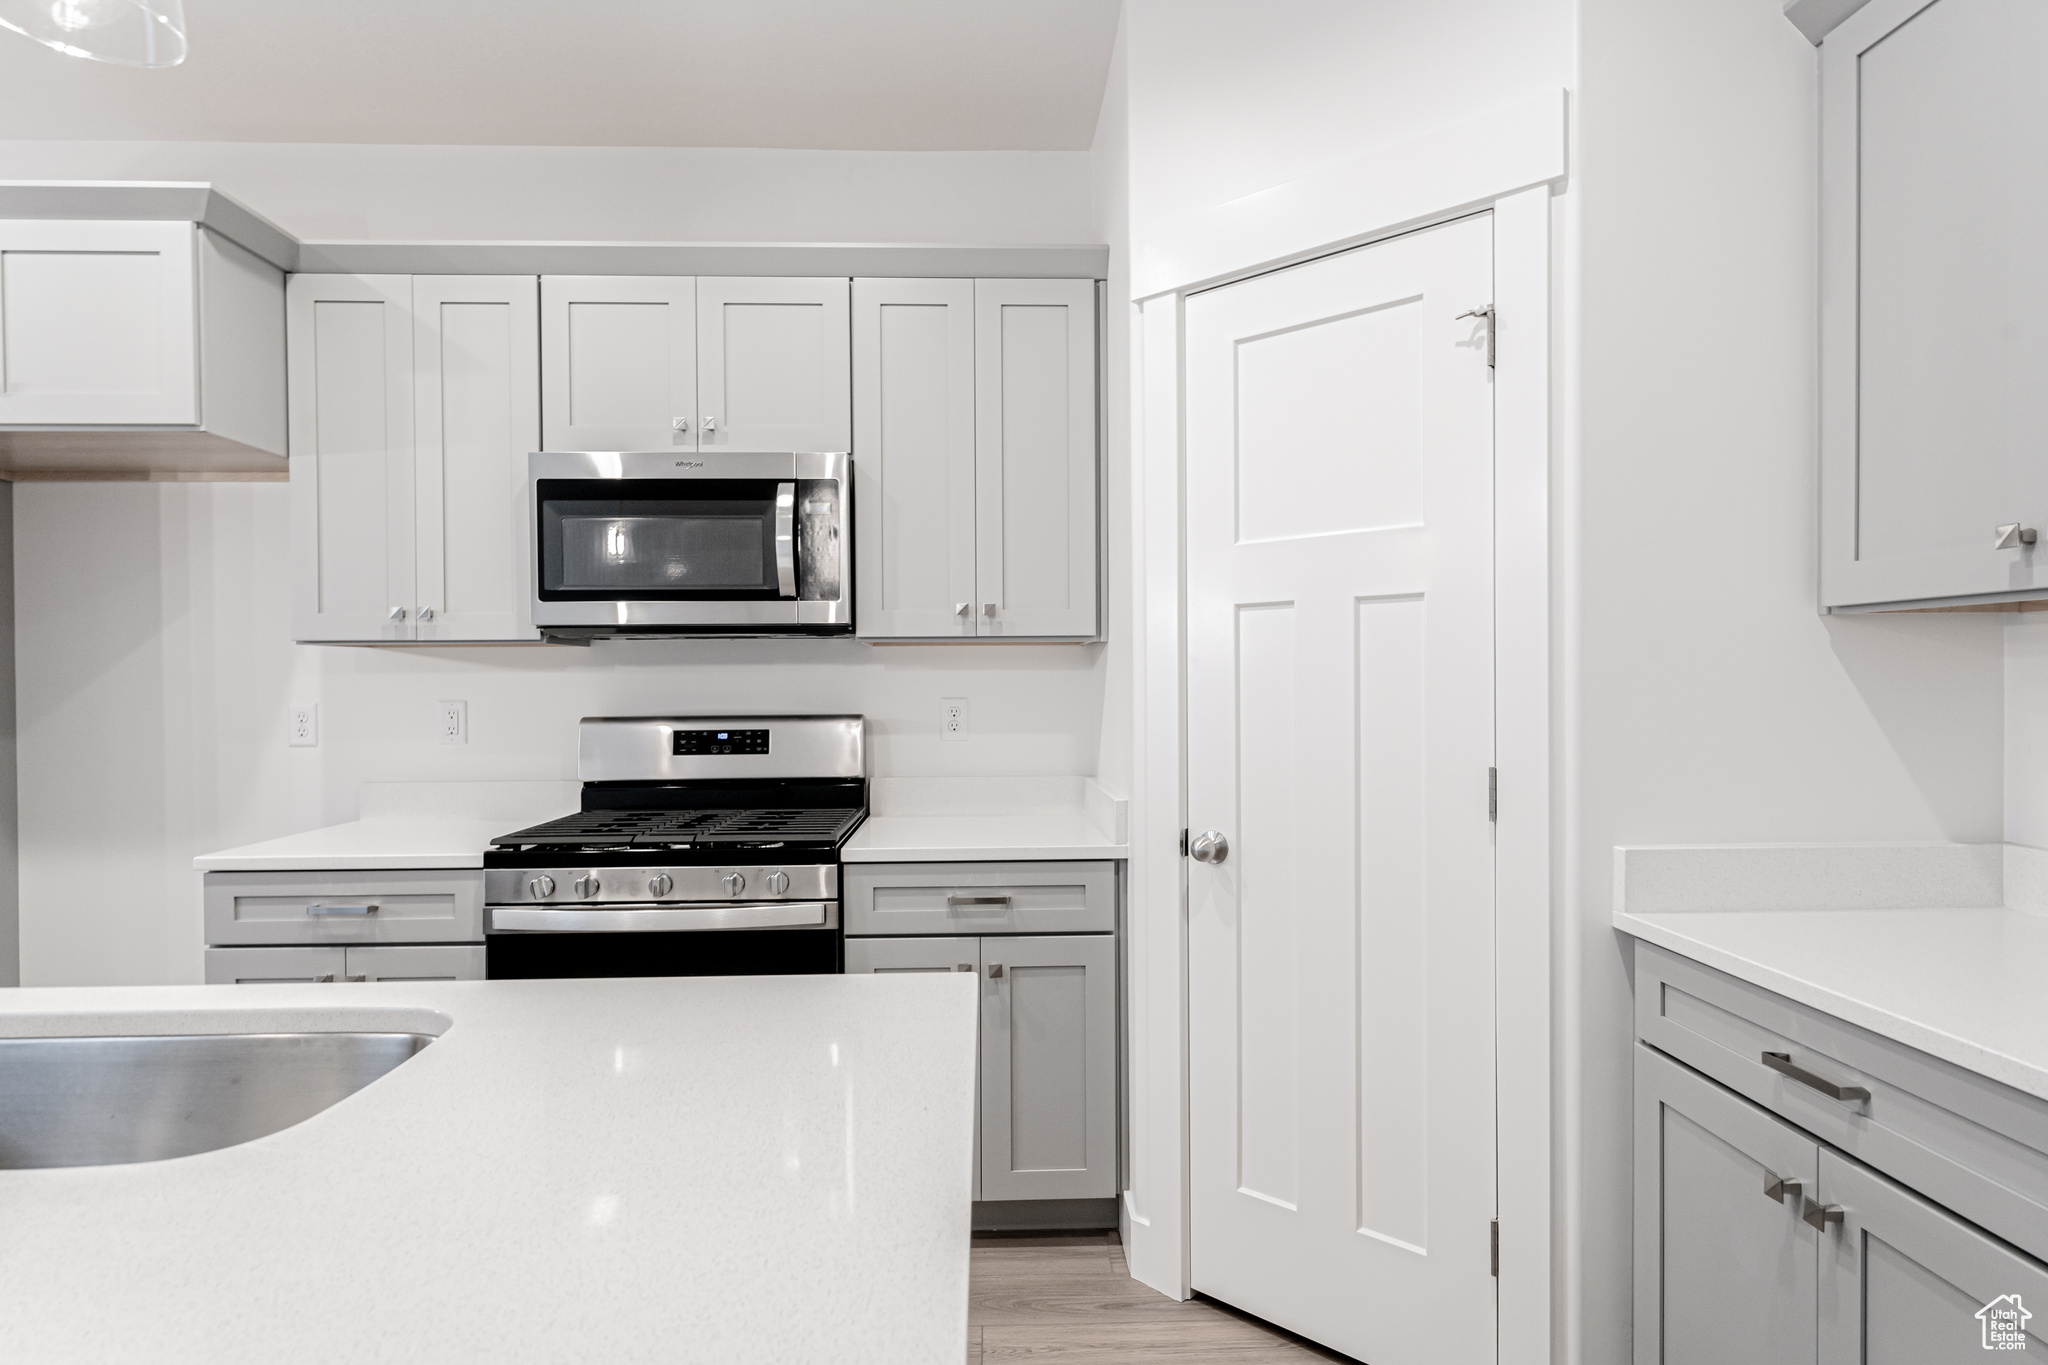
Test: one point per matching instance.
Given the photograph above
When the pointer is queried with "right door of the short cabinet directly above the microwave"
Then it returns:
(773, 367)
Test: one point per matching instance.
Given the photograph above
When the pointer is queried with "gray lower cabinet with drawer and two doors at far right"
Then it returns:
(1758, 1237)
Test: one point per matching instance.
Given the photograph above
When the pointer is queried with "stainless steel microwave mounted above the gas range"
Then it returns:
(660, 543)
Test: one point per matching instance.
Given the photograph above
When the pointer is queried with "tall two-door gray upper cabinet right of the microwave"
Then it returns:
(976, 439)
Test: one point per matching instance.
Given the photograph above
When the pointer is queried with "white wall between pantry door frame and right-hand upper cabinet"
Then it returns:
(1707, 699)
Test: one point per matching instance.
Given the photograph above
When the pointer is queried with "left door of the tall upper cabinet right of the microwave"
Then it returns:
(914, 457)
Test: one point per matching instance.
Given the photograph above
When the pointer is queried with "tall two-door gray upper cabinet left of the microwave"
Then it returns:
(415, 402)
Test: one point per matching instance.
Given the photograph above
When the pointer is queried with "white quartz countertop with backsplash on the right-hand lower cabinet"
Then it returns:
(1943, 949)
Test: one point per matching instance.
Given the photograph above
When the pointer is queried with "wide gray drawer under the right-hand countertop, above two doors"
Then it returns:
(1963, 1141)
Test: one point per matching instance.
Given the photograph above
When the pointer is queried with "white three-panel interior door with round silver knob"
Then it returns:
(1340, 736)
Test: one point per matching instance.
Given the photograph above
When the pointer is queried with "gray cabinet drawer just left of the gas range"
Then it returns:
(345, 908)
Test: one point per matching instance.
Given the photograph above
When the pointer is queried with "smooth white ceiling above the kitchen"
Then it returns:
(853, 75)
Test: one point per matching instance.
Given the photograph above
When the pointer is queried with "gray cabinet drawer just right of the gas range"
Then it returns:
(980, 897)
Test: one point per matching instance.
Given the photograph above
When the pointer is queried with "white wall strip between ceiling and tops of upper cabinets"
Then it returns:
(339, 191)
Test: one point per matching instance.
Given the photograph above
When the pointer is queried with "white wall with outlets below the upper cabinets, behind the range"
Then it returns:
(157, 668)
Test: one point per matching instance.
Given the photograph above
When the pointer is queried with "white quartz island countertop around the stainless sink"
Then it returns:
(611, 1172)
